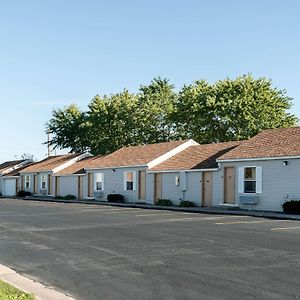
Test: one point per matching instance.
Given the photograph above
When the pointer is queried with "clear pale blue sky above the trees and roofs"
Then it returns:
(54, 53)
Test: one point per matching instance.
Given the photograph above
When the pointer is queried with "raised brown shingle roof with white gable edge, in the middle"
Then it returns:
(135, 155)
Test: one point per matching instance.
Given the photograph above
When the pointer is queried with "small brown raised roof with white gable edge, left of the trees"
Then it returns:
(49, 163)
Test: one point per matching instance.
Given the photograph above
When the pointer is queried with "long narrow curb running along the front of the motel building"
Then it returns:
(236, 212)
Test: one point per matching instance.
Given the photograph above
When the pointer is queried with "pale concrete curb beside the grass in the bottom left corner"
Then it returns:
(40, 291)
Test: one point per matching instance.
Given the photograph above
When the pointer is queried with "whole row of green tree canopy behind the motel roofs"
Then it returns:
(230, 109)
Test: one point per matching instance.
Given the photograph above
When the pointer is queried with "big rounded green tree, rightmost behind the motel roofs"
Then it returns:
(231, 109)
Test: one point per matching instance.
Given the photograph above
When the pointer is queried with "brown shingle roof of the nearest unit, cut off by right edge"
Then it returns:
(280, 142)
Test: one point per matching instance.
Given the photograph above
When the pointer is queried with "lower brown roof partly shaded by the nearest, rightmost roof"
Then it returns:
(196, 157)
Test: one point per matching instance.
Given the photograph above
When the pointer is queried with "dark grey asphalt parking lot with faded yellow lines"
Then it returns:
(102, 252)
